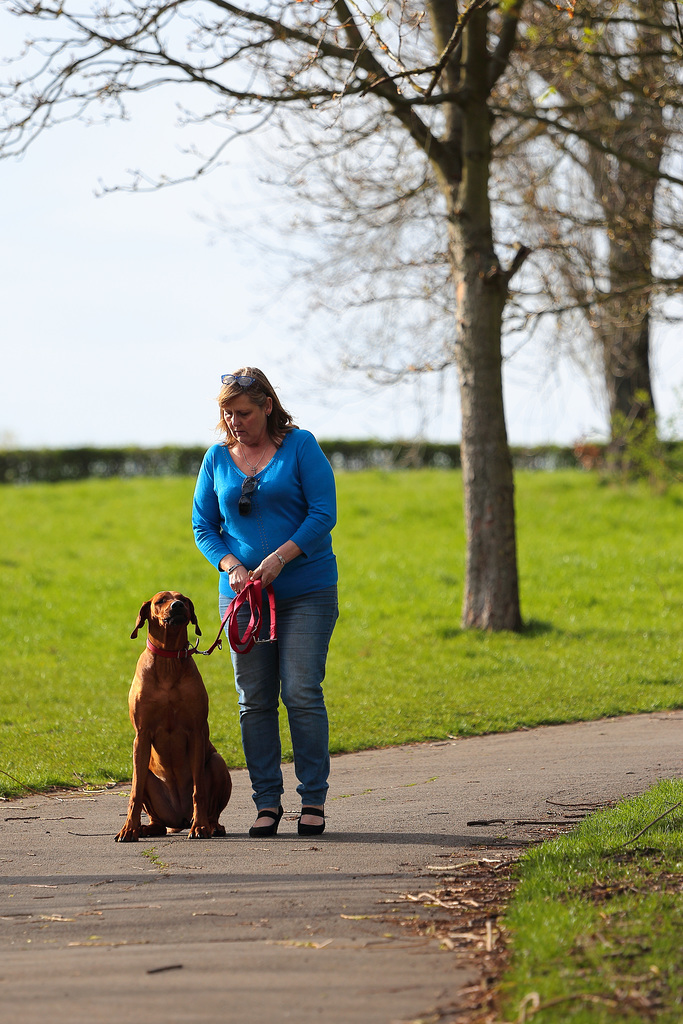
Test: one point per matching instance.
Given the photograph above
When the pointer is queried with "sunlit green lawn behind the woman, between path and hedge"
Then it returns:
(602, 574)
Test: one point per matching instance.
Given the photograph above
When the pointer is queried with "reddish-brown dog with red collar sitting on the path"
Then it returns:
(179, 777)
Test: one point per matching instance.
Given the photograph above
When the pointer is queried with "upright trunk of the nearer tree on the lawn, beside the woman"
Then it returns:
(492, 594)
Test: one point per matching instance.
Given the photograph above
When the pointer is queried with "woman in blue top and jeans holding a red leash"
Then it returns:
(265, 506)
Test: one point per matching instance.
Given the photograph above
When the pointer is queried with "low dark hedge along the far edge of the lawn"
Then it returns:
(53, 465)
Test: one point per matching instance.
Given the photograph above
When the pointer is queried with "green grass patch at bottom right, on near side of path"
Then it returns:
(596, 926)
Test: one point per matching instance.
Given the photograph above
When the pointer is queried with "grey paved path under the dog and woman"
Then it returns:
(288, 929)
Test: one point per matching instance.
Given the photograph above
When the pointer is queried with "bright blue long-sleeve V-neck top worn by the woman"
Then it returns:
(294, 500)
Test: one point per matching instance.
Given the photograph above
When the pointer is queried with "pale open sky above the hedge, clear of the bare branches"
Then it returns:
(120, 314)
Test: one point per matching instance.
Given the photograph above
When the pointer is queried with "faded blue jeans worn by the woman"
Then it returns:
(294, 667)
